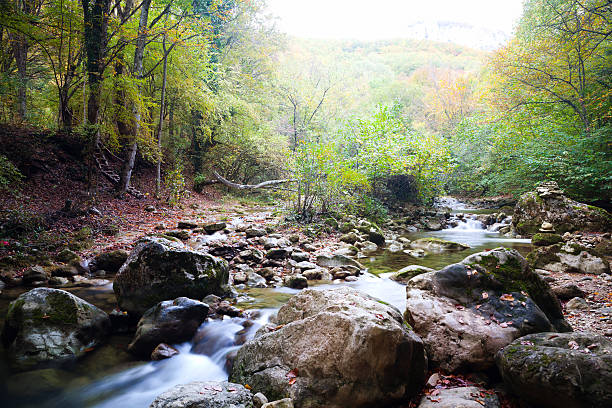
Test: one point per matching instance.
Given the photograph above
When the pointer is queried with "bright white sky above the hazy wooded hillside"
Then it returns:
(376, 19)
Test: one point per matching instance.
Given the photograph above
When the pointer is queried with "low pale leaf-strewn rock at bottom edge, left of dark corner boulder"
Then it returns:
(462, 397)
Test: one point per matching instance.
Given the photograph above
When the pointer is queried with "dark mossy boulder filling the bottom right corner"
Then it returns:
(572, 370)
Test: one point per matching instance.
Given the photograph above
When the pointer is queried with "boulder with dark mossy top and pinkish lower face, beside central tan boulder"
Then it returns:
(466, 312)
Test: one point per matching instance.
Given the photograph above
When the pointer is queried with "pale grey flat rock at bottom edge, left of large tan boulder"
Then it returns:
(209, 394)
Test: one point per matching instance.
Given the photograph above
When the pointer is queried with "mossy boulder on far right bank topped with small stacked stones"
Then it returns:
(549, 204)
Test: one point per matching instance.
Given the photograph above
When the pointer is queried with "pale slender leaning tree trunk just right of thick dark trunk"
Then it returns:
(126, 174)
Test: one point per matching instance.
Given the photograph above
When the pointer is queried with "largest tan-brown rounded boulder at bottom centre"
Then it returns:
(334, 348)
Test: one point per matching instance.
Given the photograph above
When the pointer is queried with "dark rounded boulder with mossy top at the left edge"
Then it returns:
(45, 325)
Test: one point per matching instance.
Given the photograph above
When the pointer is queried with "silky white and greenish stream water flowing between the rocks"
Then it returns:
(109, 377)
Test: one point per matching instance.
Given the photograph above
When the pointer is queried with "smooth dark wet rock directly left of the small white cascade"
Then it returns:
(171, 321)
